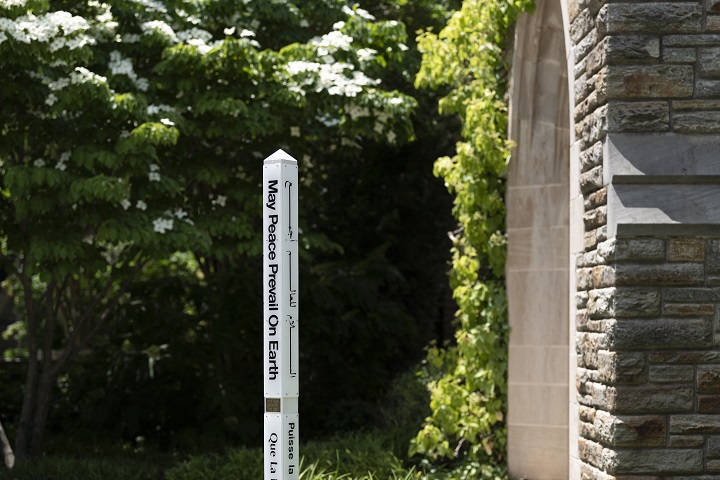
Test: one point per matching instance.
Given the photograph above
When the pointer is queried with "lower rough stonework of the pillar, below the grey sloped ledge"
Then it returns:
(649, 368)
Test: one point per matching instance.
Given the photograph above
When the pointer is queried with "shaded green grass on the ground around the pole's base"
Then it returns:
(374, 455)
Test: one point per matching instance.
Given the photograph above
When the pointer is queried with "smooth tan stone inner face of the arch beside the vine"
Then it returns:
(538, 265)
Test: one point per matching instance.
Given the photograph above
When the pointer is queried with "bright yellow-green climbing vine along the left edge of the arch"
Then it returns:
(469, 395)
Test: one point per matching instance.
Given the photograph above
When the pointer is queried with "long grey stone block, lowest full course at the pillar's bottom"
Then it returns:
(659, 461)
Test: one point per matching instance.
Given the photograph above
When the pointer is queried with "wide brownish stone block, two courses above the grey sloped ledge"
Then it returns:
(649, 81)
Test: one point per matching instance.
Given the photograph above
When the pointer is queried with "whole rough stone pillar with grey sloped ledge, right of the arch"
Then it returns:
(647, 114)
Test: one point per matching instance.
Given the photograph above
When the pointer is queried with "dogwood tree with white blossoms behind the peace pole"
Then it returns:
(131, 129)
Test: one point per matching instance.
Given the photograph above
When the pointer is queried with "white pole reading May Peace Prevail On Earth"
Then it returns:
(280, 323)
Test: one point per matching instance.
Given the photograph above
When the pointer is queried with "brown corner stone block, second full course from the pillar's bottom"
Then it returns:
(630, 431)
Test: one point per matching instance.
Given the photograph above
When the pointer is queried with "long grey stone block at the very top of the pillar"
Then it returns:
(651, 18)
